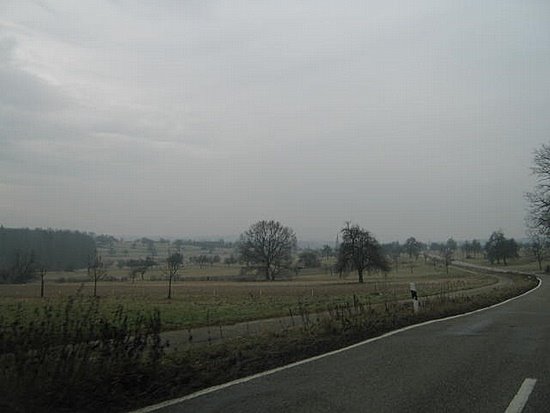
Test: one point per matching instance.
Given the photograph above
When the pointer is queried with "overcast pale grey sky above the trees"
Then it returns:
(198, 118)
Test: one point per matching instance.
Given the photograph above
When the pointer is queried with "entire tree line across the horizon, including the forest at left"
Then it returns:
(267, 248)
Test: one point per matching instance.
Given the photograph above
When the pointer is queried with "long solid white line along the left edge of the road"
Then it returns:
(213, 389)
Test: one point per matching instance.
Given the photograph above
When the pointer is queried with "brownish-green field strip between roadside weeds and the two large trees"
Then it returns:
(201, 303)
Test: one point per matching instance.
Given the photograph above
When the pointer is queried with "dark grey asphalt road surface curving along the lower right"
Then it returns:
(476, 363)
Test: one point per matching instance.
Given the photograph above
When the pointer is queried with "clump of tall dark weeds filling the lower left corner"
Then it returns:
(69, 356)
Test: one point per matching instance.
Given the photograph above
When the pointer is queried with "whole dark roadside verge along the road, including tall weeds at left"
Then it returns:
(71, 357)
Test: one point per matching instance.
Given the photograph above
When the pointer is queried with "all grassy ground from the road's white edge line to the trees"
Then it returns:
(76, 351)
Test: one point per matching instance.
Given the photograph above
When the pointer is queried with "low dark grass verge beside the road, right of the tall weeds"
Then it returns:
(346, 323)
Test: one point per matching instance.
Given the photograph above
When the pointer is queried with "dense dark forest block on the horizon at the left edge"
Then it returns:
(25, 251)
